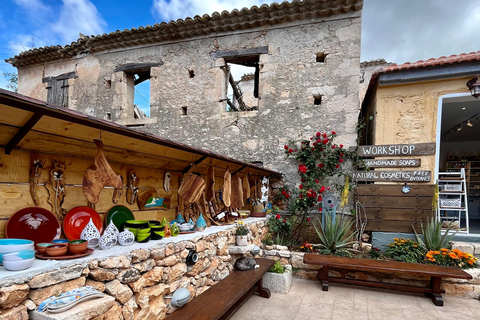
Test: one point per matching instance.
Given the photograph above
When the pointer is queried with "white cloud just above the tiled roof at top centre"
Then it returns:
(181, 9)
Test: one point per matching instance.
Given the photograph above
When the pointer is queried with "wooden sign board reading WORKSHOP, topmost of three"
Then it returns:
(389, 150)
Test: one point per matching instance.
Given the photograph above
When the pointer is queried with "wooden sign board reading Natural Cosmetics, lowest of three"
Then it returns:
(393, 176)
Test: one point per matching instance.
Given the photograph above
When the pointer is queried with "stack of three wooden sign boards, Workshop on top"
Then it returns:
(394, 150)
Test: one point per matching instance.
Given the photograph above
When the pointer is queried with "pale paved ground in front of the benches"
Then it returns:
(307, 301)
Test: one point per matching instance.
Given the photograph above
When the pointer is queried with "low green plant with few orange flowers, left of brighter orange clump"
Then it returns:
(406, 250)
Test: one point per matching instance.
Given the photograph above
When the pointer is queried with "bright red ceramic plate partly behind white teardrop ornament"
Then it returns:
(76, 220)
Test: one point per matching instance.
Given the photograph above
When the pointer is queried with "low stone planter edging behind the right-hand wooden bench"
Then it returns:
(454, 287)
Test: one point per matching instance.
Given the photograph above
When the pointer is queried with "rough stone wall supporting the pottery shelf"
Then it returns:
(137, 282)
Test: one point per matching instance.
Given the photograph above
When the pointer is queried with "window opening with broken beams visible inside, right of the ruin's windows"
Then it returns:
(242, 78)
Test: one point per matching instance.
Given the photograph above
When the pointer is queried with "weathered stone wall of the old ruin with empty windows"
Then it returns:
(289, 78)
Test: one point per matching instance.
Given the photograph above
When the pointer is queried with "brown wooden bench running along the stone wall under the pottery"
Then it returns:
(224, 298)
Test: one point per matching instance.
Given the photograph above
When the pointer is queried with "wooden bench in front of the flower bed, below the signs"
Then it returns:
(345, 264)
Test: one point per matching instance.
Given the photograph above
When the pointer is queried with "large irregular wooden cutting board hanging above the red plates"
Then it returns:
(99, 176)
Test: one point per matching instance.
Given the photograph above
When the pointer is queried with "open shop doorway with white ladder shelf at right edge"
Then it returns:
(458, 147)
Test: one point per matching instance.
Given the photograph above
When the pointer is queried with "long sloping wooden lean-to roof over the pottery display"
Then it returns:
(33, 125)
